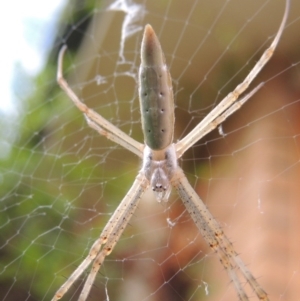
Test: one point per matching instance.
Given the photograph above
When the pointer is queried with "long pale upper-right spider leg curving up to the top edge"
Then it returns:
(191, 138)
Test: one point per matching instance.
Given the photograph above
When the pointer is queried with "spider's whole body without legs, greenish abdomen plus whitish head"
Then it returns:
(157, 111)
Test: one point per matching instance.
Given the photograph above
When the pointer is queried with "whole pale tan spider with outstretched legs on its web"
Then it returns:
(159, 169)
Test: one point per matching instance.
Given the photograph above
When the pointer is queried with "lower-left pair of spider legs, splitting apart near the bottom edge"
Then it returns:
(108, 238)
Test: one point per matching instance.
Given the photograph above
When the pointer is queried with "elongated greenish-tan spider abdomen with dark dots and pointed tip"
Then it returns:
(155, 94)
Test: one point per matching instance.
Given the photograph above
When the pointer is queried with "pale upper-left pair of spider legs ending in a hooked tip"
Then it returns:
(103, 126)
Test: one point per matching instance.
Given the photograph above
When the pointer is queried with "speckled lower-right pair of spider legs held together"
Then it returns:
(215, 237)
